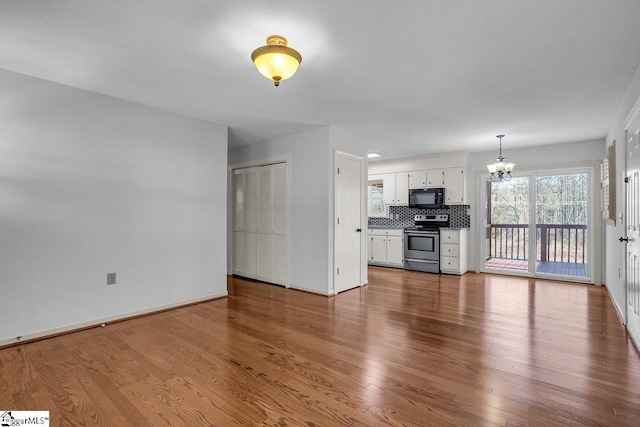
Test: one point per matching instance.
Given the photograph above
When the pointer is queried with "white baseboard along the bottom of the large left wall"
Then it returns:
(97, 322)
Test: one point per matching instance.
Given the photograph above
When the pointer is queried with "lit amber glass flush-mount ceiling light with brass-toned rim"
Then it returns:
(276, 61)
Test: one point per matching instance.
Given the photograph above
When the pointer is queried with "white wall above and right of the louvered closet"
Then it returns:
(310, 190)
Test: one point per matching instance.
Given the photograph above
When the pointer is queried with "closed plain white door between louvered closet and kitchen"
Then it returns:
(348, 238)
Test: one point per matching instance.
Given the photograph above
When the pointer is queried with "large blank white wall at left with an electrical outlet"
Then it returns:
(89, 185)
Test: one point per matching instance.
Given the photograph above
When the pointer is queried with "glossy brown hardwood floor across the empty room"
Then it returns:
(408, 349)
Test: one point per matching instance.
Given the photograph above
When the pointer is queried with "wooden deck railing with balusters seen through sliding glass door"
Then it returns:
(555, 242)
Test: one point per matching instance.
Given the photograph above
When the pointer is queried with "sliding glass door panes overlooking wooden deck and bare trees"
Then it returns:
(538, 224)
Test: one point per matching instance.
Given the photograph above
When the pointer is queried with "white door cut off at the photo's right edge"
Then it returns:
(633, 228)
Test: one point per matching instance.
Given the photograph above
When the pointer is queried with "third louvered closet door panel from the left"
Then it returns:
(265, 224)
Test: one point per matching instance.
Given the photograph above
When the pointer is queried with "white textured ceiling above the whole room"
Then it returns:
(411, 77)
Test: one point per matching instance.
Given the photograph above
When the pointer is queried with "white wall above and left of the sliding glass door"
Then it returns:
(527, 158)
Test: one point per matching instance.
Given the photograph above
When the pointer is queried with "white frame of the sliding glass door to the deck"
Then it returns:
(592, 169)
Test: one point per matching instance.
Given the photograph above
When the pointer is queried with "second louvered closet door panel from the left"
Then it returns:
(251, 223)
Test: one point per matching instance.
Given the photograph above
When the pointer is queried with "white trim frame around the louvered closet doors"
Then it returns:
(286, 160)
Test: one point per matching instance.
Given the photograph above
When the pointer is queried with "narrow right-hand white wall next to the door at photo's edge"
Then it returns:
(615, 251)
